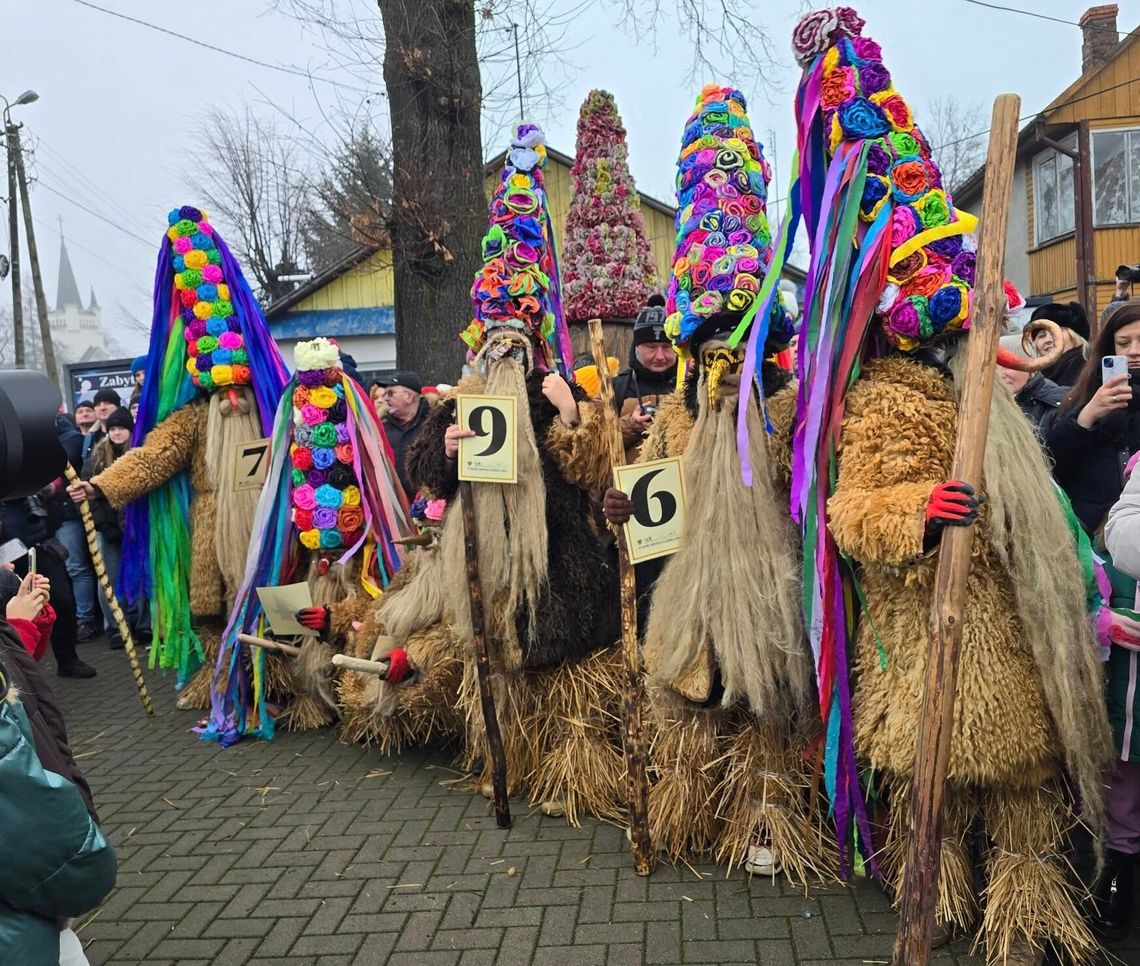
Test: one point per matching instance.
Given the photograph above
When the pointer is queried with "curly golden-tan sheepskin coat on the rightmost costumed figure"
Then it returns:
(897, 447)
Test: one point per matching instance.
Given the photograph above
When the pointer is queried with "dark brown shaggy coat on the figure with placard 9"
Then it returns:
(581, 603)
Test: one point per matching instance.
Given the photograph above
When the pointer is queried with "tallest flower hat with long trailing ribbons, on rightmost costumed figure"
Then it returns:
(891, 256)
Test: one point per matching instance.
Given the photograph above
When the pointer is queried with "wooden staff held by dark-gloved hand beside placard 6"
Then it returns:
(632, 697)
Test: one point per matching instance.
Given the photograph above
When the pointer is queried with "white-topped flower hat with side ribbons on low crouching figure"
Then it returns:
(331, 493)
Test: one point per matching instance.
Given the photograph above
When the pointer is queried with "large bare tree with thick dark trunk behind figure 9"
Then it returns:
(435, 58)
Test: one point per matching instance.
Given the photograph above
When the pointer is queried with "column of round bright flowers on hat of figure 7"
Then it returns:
(218, 356)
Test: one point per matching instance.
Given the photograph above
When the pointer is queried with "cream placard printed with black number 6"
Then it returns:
(657, 490)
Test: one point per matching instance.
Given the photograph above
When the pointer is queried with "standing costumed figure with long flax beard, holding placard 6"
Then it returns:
(732, 696)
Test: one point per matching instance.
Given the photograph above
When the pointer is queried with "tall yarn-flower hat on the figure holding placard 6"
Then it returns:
(724, 243)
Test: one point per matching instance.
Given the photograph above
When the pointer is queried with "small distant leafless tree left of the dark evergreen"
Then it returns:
(258, 186)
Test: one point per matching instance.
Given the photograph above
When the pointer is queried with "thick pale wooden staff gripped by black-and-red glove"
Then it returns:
(921, 883)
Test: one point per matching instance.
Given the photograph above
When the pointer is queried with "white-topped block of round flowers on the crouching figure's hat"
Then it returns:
(327, 490)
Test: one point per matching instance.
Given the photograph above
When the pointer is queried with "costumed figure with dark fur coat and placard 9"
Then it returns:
(549, 583)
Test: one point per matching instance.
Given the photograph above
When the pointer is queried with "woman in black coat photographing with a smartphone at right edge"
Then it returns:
(1098, 427)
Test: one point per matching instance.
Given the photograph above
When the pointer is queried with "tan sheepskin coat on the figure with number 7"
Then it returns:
(177, 444)
